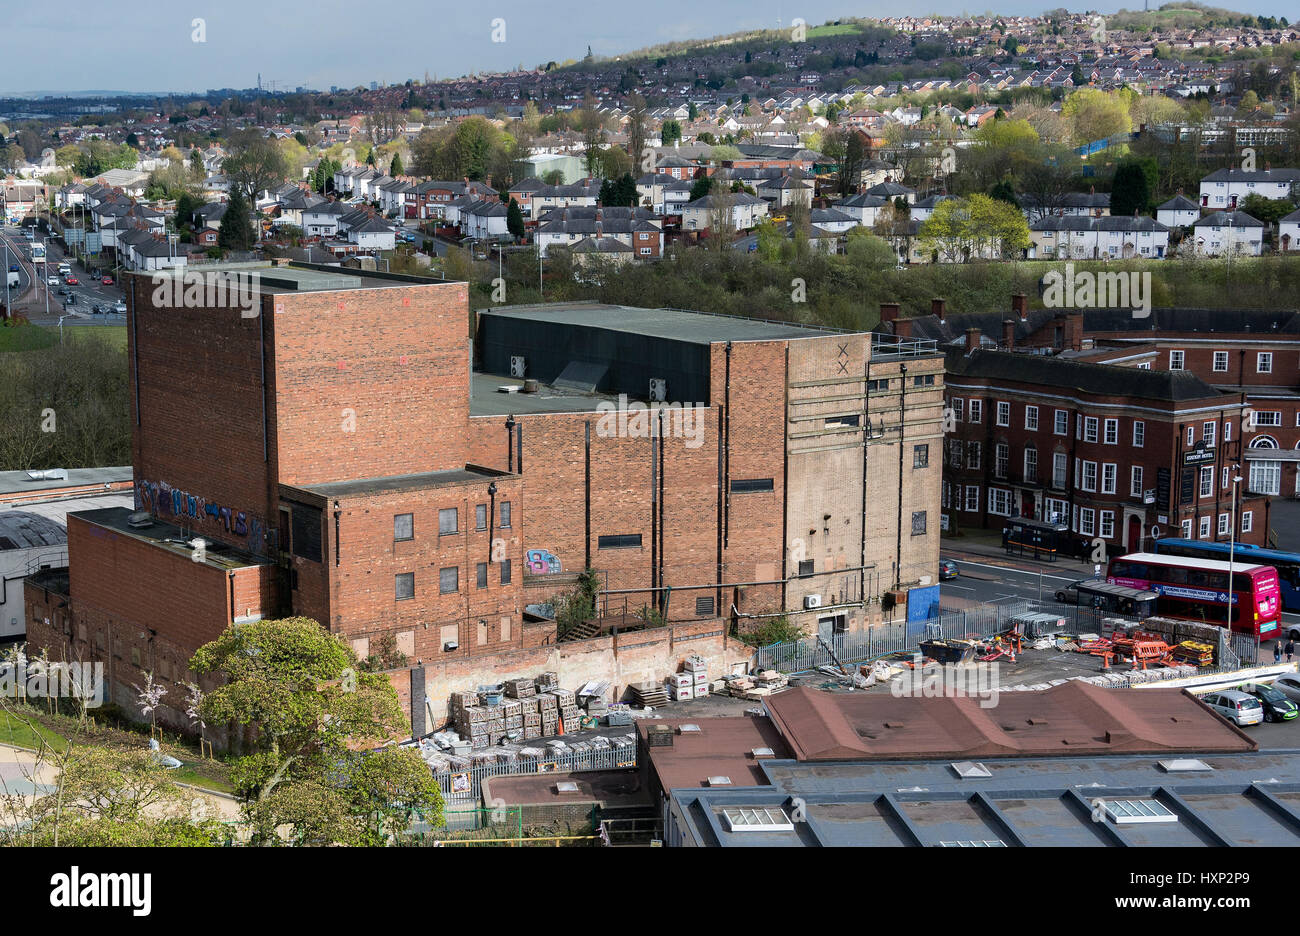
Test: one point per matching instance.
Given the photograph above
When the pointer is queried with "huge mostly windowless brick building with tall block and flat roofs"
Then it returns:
(344, 457)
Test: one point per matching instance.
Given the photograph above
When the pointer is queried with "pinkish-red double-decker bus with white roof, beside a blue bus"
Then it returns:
(1198, 590)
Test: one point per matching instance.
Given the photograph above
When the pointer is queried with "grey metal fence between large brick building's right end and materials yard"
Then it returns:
(811, 653)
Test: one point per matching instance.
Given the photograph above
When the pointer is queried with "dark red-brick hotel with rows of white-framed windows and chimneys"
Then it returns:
(1111, 424)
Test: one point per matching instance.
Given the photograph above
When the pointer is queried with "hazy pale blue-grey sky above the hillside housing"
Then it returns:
(148, 46)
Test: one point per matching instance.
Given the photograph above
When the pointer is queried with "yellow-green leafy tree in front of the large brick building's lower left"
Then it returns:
(317, 768)
